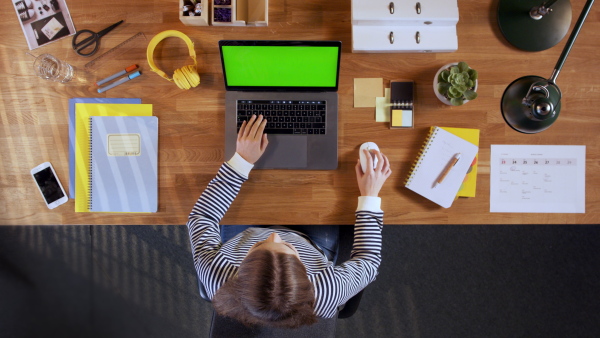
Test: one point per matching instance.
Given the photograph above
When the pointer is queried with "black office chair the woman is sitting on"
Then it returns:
(325, 327)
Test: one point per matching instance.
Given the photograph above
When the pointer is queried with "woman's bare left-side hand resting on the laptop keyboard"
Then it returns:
(251, 141)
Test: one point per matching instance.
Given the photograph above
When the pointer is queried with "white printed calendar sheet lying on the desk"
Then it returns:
(537, 179)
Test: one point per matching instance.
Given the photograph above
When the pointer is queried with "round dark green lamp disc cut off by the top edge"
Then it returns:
(529, 34)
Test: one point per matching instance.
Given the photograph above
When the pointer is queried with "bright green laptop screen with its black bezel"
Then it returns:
(274, 65)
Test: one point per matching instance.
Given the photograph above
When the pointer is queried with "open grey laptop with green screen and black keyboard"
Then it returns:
(293, 84)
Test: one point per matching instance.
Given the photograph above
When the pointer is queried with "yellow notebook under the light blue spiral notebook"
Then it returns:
(83, 112)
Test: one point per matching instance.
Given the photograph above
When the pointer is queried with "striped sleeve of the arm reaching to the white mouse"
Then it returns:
(337, 285)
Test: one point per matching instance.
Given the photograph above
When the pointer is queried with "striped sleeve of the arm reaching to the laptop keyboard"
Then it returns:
(203, 226)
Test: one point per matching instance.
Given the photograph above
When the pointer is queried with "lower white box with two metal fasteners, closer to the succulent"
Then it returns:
(407, 39)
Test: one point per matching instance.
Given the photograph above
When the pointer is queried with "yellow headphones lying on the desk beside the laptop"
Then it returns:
(186, 77)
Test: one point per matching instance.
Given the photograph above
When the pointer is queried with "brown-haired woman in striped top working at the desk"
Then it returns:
(278, 276)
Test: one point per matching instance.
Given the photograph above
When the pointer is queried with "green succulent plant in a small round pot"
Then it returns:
(457, 83)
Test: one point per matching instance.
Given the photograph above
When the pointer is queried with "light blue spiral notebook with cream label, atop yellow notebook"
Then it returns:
(123, 164)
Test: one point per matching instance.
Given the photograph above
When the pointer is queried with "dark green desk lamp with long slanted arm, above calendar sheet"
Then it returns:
(531, 104)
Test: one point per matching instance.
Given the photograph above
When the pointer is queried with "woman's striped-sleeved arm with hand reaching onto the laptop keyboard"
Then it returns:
(211, 206)
